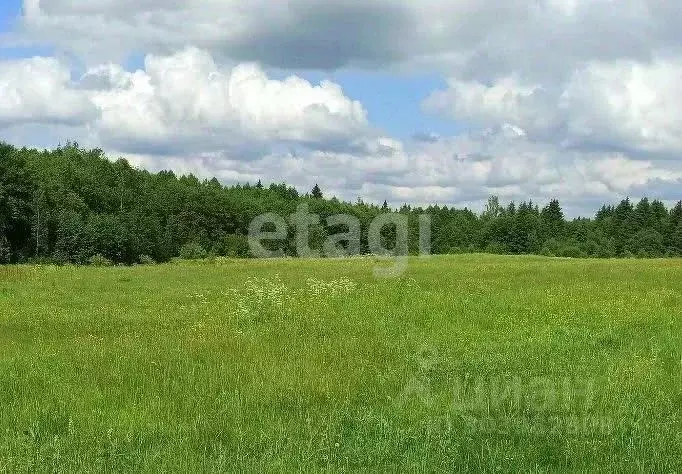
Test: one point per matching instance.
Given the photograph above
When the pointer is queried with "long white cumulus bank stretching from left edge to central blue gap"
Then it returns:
(182, 101)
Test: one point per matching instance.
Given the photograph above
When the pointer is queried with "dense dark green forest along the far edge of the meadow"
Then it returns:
(71, 204)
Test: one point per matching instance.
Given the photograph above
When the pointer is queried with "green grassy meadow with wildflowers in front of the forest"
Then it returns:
(467, 363)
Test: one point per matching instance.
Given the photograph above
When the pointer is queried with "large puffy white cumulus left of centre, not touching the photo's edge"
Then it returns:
(187, 98)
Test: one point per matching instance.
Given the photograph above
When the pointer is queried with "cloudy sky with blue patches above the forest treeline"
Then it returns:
(422, 102)
